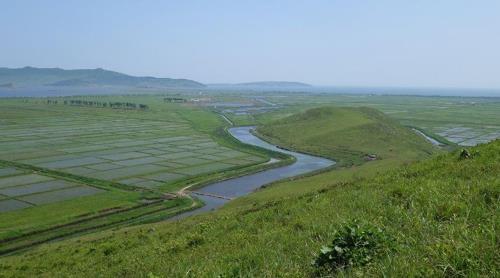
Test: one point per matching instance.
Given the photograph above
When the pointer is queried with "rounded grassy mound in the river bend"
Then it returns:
(347, 135)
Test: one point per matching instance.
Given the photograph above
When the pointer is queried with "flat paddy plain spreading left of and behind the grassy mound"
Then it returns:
(126, 154)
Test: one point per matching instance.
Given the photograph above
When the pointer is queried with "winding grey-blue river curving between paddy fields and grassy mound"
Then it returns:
(244, 185)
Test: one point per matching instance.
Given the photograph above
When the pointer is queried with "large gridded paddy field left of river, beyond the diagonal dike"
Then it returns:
(146, 153)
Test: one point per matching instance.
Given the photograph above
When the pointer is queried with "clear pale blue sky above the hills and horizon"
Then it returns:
(414, 43)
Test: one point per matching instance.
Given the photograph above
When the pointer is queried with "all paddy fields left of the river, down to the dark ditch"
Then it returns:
(100, 166)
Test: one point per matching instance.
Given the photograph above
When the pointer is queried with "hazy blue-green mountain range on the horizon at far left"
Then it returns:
(30, 76)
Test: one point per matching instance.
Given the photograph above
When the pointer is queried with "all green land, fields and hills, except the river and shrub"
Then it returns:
(67, 171)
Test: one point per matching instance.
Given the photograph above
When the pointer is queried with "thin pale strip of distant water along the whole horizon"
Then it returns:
(48, 91)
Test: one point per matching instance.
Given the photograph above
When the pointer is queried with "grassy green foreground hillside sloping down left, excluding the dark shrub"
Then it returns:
(439, 217)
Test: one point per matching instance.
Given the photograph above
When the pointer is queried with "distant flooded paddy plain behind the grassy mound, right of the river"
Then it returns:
(466, 121)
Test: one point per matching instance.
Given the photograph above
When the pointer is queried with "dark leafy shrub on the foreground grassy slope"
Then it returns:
(353, 245)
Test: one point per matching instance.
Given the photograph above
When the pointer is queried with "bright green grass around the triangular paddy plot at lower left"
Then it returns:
(43, 216)
